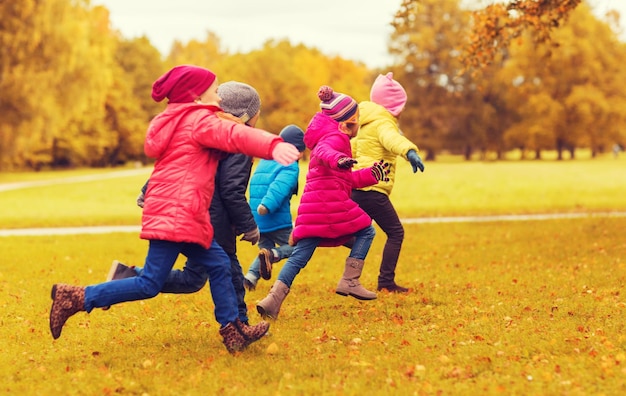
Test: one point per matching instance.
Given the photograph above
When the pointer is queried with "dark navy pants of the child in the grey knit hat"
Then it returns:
(194, 275)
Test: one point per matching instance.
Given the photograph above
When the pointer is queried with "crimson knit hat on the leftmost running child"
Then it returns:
(182, 84)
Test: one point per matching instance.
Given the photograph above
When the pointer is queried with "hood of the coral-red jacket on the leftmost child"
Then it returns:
(162, 126)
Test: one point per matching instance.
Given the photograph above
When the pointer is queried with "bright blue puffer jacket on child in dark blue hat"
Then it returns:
(272, 185)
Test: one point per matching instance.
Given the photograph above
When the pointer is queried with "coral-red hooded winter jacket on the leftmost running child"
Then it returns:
(188, 140)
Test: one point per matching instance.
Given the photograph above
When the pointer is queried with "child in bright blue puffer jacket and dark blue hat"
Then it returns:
(271, 187)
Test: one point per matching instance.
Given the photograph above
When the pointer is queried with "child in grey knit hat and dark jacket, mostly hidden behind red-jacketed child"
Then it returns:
(230, 212)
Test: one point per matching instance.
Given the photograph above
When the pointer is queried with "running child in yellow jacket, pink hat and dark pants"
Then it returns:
(380, 137)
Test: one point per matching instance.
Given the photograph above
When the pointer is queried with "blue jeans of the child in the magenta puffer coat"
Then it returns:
(304, 249)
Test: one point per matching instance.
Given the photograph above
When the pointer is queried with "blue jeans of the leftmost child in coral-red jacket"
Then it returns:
(159, 262)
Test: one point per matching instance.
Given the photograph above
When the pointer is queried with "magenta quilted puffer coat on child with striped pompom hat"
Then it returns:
(326, 210)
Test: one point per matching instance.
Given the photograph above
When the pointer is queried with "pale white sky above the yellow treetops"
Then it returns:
(353, 29)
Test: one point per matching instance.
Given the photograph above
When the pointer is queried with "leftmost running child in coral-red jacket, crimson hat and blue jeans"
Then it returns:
(186, 139)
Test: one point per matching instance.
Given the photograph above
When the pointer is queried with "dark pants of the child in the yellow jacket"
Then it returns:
(378, 206)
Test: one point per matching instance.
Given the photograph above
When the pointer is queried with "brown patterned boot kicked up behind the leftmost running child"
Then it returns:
(66, 301)
